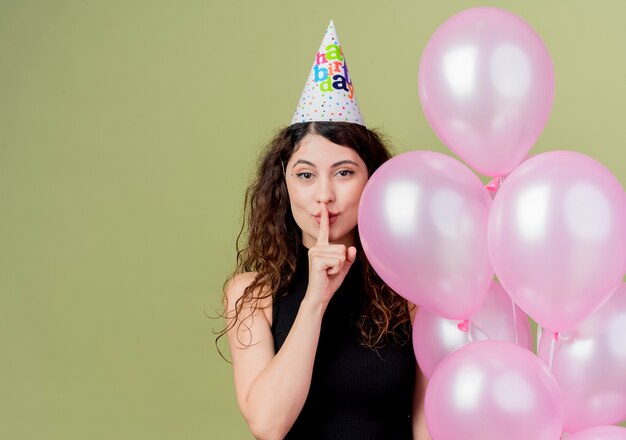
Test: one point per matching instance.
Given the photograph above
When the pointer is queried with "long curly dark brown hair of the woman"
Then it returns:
(273, 237)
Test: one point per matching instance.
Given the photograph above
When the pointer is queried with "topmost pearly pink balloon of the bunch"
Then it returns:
(486, 85)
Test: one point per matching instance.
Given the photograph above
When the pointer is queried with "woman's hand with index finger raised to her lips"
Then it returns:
(328, 264)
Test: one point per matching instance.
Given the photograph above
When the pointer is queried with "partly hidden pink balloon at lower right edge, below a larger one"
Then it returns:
(589, 362)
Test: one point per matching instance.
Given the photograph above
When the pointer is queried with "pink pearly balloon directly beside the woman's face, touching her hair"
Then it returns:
(423, 226)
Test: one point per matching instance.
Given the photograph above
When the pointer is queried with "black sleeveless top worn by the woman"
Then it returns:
(356, 392)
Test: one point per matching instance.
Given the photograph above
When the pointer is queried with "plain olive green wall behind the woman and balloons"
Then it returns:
(128, 130)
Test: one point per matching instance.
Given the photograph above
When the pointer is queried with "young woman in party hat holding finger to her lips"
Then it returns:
(321, 347)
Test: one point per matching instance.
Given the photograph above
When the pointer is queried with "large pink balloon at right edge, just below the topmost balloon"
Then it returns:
(557, 234)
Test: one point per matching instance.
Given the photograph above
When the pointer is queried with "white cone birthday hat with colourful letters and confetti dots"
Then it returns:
(328, 94)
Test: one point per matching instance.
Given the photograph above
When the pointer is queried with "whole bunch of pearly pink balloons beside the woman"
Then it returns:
(554, 234)
